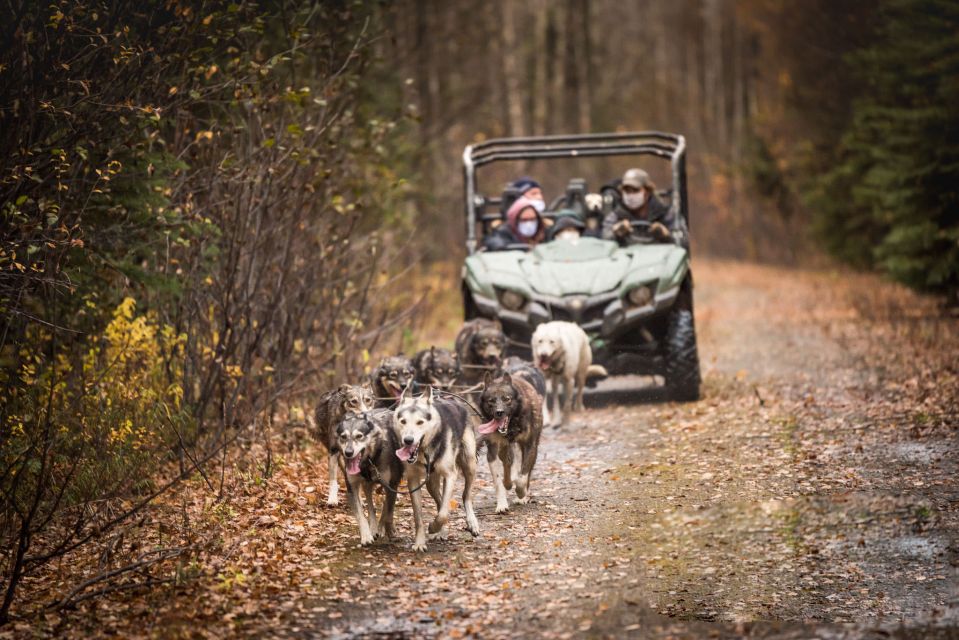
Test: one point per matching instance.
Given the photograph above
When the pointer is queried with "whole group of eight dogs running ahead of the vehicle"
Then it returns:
(406, 423)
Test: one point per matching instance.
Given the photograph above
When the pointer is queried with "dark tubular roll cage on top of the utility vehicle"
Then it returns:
(665, 145)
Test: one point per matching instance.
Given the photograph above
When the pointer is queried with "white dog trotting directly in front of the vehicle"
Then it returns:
(561, 350)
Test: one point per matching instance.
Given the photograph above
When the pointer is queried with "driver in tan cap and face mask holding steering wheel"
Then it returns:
(638, 204)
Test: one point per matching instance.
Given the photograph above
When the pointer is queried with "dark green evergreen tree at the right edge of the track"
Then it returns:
(893, 200)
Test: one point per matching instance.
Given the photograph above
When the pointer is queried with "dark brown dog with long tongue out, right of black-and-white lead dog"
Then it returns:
(514, 413)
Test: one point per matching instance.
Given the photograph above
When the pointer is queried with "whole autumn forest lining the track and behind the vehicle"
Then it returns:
(205, 207)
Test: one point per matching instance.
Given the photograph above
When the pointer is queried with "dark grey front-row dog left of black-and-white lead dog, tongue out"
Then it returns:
(366, 442)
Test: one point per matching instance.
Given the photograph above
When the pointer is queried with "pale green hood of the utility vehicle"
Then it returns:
(588, 266)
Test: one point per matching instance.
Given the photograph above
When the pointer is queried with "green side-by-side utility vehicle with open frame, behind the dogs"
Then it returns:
(635, 302)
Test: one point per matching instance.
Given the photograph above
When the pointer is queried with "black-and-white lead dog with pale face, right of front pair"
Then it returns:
(437, 439)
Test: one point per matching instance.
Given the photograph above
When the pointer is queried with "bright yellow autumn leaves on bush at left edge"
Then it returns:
(114, 404)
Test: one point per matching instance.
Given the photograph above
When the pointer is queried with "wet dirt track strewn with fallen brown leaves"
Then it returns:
(813, 492)
